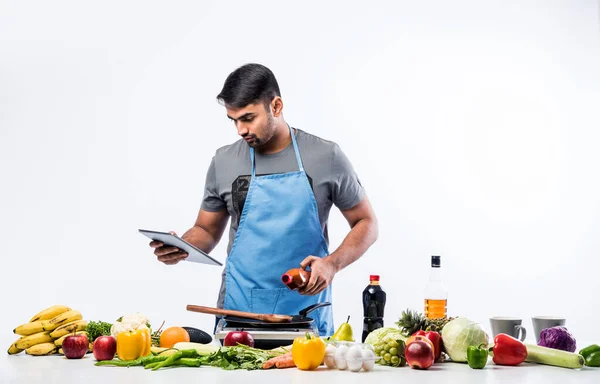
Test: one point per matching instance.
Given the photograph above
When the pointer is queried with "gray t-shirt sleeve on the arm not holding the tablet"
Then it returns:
(347, 190)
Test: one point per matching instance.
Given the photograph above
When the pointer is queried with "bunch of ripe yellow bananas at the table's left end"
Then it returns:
(45, 332)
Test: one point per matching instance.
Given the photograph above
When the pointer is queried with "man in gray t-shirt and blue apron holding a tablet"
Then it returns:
(277, 184)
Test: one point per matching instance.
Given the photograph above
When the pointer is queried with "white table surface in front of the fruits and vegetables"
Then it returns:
(23, 368)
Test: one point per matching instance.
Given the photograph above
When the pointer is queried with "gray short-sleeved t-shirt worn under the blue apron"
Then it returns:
(329, 171)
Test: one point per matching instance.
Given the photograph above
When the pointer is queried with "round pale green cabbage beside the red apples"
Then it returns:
(459, 334)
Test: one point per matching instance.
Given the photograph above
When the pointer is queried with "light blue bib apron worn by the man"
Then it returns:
(278, 229)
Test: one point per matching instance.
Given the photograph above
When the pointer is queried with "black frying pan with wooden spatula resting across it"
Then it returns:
(259, 320)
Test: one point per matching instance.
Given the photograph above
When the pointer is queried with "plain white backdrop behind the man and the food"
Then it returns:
(473, 125)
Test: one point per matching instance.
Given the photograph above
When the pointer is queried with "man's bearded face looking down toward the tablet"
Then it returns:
(253, 123)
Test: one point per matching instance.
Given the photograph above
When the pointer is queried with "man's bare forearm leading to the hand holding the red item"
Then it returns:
(359, 239)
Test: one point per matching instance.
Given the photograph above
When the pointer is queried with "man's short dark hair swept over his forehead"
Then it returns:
(249, 84)
